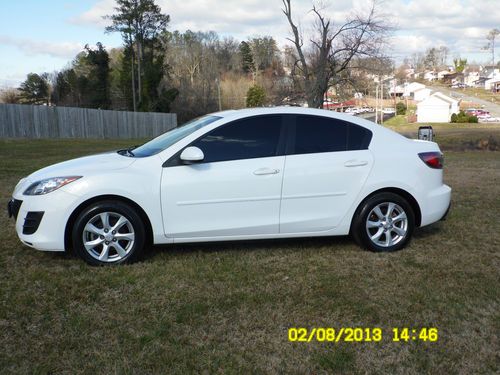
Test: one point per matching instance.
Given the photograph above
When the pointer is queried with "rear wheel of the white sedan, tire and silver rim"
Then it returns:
(383, 223)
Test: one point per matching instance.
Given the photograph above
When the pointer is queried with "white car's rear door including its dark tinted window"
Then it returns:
(327, 164)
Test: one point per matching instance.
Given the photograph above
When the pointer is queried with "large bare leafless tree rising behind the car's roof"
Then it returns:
(333, 48)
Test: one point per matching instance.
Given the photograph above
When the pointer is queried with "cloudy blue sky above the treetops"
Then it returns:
(44, 36)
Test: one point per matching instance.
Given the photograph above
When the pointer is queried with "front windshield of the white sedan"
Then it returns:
(167, 139)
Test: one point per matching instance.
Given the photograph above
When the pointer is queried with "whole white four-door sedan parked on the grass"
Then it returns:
(233, 175)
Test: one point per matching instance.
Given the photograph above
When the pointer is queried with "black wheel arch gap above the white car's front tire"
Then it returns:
(72, 218)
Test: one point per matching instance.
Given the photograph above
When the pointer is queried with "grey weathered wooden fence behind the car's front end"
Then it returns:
(31, 121)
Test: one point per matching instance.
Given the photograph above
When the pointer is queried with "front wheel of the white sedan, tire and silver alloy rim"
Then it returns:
(109, 233)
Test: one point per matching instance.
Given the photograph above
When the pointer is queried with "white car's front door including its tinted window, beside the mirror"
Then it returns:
(235, 190)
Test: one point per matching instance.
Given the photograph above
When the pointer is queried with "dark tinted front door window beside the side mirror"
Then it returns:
(254, 137)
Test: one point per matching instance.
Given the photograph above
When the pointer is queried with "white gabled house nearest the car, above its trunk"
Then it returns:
(437, 108)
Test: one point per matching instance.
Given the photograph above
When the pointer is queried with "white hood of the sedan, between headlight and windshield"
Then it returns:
(83, 166)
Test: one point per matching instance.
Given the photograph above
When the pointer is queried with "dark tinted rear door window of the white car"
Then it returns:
(319, 134)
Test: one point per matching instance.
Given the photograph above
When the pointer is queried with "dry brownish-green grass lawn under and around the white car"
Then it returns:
(225, 308)
